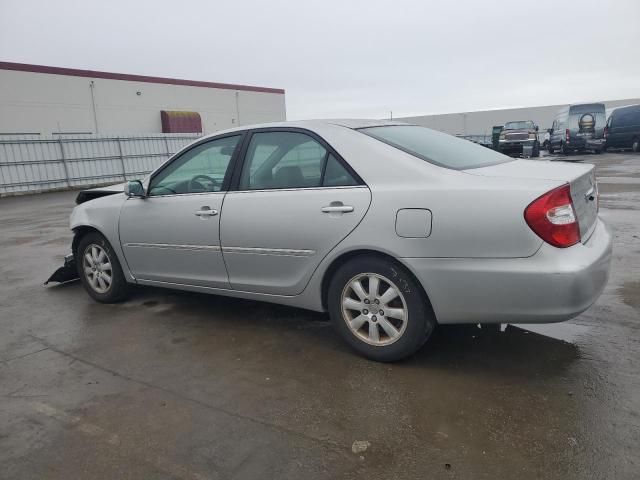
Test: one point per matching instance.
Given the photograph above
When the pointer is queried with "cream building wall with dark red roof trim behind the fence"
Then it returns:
(46, 103)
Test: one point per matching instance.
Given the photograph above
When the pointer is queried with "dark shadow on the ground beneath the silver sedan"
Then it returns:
(512, 350)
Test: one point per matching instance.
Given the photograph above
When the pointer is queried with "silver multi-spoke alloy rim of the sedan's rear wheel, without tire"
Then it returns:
(374, 309)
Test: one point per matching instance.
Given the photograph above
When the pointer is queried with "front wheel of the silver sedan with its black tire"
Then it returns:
(94, 272)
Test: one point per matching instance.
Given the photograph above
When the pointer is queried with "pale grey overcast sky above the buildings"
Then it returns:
(342, 58)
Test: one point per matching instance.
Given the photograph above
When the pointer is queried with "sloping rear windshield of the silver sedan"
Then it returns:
(436, 147)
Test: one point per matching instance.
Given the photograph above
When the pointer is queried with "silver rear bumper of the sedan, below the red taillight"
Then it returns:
(551, 286)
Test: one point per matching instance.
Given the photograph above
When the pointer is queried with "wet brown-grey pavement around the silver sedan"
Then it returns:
(188, 386)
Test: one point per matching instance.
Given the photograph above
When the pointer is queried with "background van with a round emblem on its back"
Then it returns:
(578, 128)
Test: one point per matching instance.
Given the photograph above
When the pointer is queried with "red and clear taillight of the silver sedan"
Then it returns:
(553, 218)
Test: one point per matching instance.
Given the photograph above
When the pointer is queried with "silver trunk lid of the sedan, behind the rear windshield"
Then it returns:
(581, 179)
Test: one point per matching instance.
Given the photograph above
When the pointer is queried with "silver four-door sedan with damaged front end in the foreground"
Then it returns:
(392, 228)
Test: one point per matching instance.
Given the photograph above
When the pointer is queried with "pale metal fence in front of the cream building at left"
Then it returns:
(40, 163)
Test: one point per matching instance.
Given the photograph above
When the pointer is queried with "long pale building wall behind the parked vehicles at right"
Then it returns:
(480, 123)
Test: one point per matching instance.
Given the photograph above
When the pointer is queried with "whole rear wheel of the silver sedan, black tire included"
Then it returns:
(413, 320)
